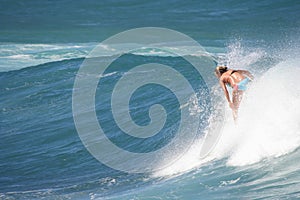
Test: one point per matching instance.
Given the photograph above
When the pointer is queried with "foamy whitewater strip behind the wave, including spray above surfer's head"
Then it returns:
(19, 56)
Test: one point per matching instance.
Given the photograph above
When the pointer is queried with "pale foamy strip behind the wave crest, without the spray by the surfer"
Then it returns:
(19, 56)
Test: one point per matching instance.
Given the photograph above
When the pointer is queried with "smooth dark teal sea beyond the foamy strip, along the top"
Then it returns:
(92, 21)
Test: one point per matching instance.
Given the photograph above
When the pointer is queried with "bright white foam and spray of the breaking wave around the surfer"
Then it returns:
(269, 116)
